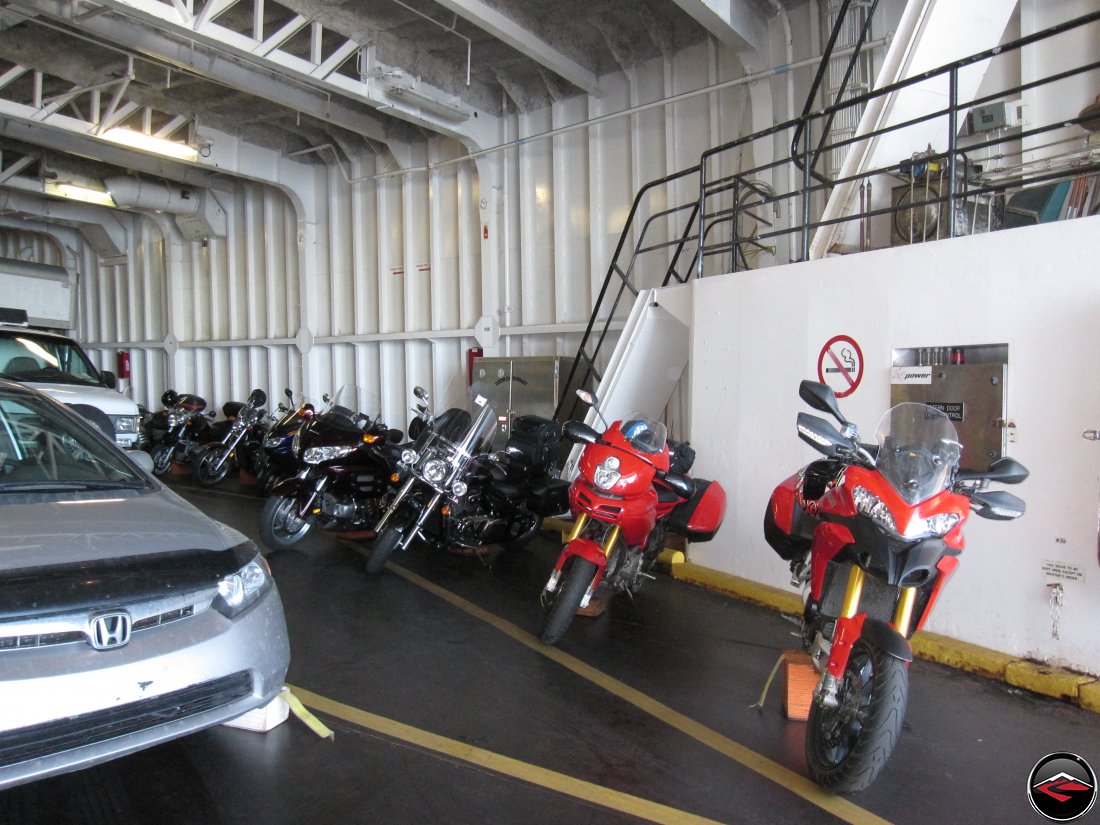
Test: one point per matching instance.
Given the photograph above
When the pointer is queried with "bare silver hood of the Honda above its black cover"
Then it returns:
(52, 532)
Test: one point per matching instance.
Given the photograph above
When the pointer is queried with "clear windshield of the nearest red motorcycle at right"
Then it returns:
(919, 450)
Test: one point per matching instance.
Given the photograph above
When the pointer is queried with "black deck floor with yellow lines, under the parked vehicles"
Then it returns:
(448, 710)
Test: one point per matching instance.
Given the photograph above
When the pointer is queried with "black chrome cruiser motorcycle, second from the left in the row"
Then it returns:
(237, 443)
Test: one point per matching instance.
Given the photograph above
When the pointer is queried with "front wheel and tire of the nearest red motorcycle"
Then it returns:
(848, 746)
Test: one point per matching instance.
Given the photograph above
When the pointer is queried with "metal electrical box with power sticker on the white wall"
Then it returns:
(972, 395)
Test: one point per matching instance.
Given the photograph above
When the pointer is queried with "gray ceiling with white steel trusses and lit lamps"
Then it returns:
(292, 75)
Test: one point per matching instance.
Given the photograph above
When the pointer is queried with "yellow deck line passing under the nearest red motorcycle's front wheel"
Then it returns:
(767, 768)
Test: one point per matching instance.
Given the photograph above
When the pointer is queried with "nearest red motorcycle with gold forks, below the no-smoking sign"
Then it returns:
(873, 534)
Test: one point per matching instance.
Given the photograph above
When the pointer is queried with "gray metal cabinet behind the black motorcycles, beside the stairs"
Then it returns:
(521, 387)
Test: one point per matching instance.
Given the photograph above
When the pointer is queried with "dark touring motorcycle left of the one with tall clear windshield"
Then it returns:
(347, 460)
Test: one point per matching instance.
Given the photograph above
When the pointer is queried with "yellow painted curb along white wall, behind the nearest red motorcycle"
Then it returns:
(1079, 688)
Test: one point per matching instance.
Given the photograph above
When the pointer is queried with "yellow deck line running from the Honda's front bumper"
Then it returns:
(507, 766)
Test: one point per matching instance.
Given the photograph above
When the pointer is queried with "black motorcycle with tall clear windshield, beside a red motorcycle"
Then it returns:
(458, 494)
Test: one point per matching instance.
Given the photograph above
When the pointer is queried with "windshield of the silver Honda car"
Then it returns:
(45, 448)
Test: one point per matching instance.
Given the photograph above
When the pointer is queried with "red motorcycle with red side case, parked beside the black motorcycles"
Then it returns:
(631, 491)
